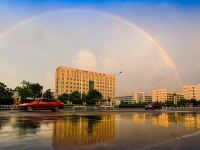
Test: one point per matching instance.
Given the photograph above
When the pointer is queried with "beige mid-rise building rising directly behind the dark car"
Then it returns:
(162, 95)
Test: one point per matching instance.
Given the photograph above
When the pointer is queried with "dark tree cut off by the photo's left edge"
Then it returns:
(5, 92)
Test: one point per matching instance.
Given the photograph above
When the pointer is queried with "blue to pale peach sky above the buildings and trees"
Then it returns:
(155, 43)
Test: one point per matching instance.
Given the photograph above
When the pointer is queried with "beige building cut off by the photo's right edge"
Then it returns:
(191, 92)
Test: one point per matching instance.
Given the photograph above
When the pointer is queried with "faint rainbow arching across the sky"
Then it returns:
(164, 53)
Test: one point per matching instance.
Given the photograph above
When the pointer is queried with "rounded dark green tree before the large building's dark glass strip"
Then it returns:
(94, 96)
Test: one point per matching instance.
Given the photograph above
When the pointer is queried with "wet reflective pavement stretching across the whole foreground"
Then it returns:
(99, 130)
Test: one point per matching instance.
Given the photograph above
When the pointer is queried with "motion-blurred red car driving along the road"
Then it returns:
(44, 104)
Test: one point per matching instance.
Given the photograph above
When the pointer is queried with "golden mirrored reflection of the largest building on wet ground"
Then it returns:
(83, 131)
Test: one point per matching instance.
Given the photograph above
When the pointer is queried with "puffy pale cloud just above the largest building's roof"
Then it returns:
(85, 59)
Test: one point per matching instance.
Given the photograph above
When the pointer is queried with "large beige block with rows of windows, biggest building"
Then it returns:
(71, 79)
